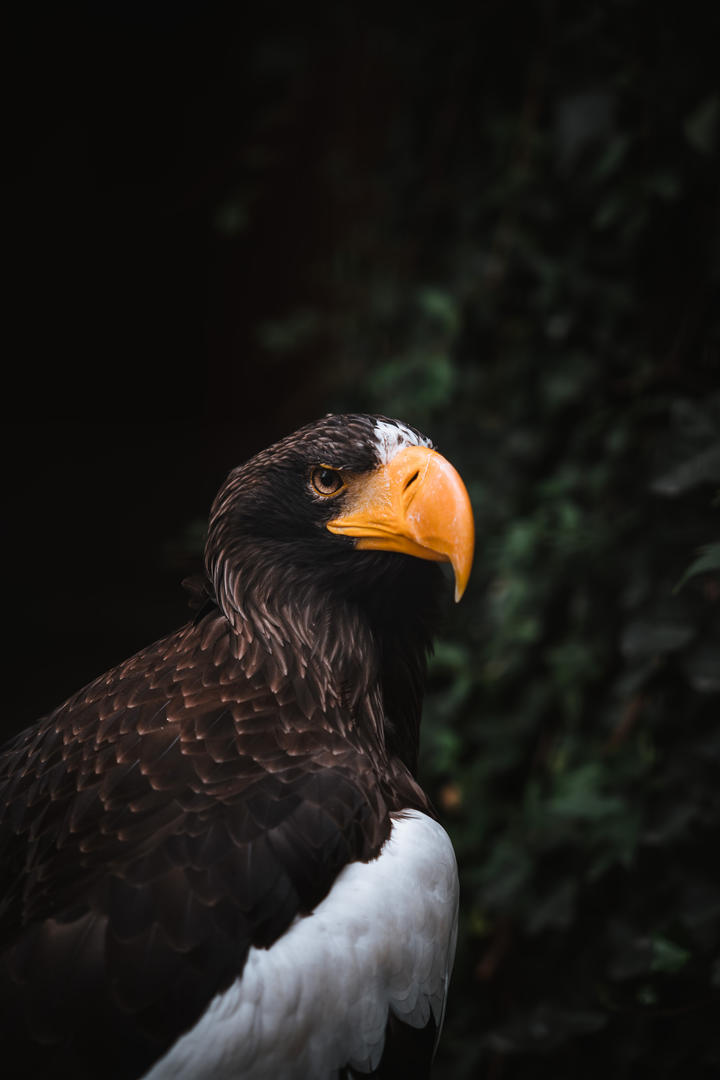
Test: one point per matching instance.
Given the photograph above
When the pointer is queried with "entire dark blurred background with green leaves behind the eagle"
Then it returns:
(501, 224)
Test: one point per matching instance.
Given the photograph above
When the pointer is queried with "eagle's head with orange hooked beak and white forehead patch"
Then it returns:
(311, 504)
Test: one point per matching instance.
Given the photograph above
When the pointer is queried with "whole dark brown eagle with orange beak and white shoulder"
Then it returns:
(218, 861)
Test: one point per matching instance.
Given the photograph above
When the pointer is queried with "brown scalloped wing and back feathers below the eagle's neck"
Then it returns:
(167, 818)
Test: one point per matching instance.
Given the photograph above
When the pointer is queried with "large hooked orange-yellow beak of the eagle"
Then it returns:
(417, 505)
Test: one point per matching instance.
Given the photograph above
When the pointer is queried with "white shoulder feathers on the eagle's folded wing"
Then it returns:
(383, 940)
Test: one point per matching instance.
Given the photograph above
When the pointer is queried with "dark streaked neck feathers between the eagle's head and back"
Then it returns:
(357, 652)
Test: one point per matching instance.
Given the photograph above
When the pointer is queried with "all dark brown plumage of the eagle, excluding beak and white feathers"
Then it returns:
(198, 799)
